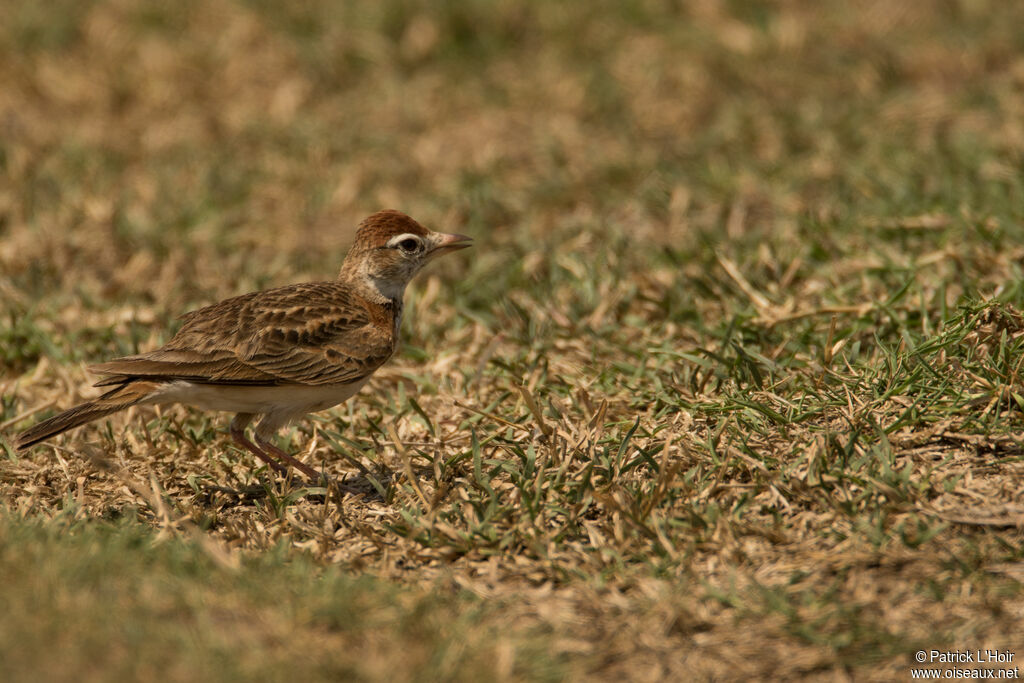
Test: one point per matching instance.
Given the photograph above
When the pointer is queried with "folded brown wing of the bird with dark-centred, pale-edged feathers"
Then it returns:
(314, 334)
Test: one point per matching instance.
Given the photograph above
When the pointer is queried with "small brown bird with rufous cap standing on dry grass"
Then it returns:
(279, 354)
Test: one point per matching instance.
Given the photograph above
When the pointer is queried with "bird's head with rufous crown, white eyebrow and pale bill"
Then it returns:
(390, 249)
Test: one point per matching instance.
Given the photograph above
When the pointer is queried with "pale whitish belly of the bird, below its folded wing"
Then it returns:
(281, 405)
